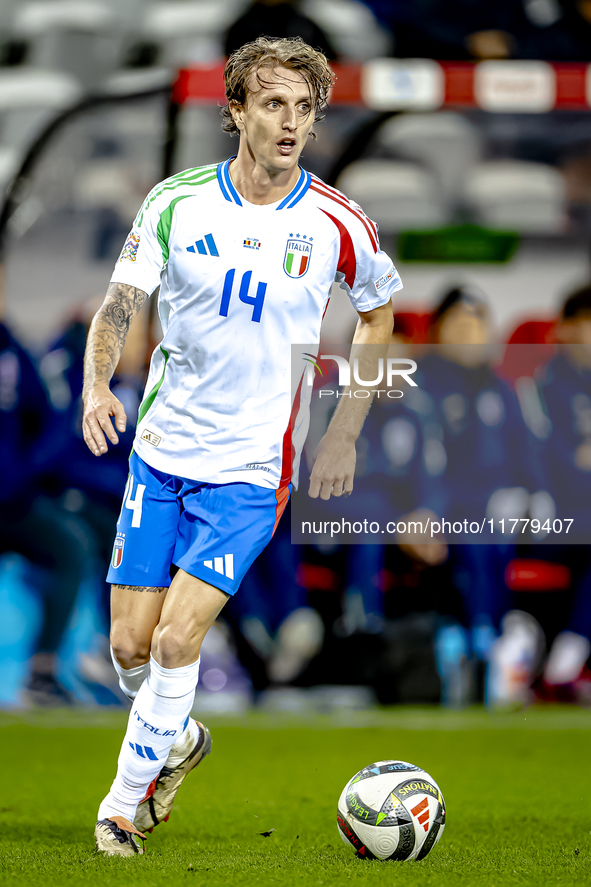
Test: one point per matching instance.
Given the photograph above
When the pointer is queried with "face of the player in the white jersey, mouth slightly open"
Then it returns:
(277, 118)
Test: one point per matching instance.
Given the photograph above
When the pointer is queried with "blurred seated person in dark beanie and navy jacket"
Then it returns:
(487, 473)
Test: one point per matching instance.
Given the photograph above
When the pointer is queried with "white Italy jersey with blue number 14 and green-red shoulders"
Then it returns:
(239, 283)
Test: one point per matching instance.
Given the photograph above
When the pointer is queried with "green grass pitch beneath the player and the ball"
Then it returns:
(517, 789)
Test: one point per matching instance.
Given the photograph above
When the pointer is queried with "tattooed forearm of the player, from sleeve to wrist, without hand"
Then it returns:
(108, 332)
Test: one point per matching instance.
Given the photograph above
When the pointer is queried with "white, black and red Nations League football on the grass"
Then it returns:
(391, 810)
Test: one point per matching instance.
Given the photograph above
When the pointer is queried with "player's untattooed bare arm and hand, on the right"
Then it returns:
(334, 460)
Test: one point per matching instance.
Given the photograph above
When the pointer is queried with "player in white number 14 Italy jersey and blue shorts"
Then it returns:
(244, 253)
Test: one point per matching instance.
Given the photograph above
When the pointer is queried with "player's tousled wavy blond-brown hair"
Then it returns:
(264, 52)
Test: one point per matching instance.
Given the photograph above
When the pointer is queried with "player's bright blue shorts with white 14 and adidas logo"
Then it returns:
(212, 531)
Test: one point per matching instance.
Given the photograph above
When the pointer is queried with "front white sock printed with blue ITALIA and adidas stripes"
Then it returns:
(158, 715)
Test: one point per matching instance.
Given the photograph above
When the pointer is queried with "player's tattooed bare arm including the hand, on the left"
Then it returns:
(106, 339)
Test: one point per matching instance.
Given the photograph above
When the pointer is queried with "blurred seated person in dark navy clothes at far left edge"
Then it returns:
(57, 547)
